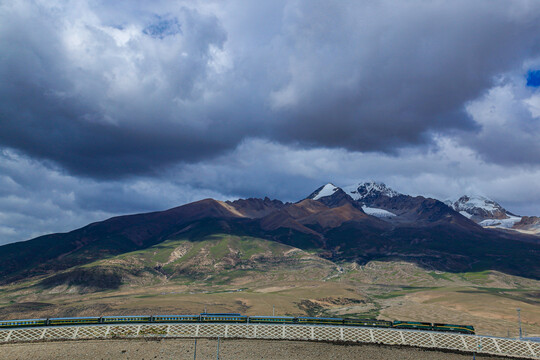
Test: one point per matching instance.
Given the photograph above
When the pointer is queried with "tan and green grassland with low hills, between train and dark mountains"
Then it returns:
(225, 273)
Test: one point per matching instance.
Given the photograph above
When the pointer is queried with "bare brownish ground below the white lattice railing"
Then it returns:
(229, 349)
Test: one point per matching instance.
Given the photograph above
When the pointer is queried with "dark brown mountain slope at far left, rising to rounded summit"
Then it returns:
(101, 239)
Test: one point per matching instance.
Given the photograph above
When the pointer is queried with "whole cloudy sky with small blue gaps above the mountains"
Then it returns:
(118, 107)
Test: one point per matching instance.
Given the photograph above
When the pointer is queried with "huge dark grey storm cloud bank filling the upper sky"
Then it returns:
(107, 91)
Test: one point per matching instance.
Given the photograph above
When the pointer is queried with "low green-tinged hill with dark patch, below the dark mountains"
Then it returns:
(211, 260)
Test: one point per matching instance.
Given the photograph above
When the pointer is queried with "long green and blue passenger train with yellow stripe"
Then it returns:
(236, 318)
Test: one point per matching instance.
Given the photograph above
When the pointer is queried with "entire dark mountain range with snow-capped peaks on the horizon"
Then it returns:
(360, 223)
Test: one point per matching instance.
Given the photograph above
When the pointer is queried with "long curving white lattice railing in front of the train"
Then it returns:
(424, 339)
